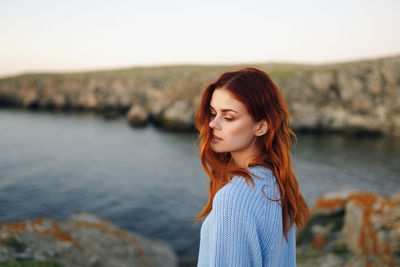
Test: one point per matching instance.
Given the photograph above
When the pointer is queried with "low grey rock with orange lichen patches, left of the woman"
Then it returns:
(84, 240)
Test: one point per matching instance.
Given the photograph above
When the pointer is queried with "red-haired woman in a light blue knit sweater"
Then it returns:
(254, 199)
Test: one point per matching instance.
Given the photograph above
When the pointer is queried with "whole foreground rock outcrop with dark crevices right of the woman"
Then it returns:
(359, 228)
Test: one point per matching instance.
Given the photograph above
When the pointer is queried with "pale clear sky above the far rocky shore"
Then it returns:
(74, 35)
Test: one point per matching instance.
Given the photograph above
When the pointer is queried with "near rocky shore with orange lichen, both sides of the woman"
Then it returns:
(348, 228)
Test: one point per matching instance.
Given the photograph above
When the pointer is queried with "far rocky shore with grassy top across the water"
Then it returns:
(353, 98)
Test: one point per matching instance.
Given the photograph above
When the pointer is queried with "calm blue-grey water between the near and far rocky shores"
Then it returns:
(150, 181)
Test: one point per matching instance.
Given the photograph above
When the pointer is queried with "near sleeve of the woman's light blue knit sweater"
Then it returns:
(235, 241)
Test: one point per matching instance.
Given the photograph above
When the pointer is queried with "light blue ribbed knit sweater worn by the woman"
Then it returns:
(244, 228)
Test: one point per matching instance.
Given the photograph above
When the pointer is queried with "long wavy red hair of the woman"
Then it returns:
(255, 89)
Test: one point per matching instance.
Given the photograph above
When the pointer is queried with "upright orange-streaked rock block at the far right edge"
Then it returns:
(372, 225)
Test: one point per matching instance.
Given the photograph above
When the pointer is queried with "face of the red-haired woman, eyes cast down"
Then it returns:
(232, 126)
